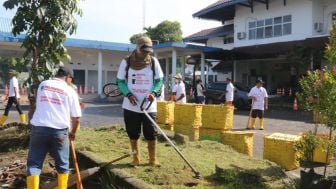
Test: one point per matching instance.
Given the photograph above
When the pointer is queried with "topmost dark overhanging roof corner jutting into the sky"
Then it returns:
(220, 10)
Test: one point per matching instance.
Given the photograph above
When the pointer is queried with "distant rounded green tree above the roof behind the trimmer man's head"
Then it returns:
(166, 31)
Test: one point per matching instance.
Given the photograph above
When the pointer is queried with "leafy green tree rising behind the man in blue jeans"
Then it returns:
(45, 24)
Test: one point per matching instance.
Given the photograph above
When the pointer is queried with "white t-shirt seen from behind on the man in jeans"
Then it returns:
(56, 103)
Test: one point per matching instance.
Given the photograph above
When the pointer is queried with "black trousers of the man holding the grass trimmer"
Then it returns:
(134, 121)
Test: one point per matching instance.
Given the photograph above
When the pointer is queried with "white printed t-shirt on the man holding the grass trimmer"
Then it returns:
(140, 83)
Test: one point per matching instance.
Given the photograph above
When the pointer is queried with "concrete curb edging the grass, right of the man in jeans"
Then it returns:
(115, 177)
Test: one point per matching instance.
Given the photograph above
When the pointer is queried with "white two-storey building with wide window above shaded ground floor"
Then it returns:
(276, 40)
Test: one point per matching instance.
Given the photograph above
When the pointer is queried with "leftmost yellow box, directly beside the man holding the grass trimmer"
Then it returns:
(165, 112)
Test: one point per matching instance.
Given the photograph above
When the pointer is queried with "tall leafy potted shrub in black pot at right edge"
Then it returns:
(318, 94)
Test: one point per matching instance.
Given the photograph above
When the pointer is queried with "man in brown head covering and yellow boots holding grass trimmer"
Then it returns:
(140, 76)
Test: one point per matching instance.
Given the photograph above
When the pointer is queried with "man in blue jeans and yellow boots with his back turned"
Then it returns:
(57, 109)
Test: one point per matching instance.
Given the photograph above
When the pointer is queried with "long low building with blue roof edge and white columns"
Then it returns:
(96, 63)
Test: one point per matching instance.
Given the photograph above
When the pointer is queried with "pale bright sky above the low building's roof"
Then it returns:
(118, 20)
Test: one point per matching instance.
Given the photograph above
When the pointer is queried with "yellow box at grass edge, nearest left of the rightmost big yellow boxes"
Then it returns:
(242, 141)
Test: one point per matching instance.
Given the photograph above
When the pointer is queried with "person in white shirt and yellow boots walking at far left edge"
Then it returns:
(13, 98)
